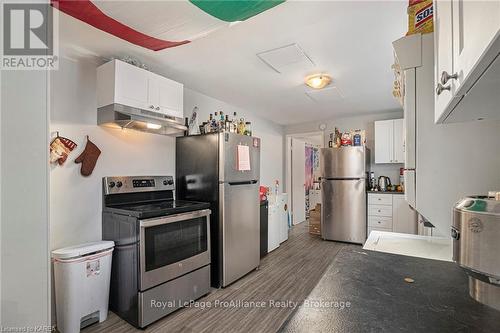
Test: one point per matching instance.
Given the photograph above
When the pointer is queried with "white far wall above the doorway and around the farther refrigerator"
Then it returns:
(357, 122)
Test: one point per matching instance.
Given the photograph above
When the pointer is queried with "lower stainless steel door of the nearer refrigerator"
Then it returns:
(240, 230)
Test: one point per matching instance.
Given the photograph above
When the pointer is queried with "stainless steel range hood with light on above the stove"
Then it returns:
(122, 116)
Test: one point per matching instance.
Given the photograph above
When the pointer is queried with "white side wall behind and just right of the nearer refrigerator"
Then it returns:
(271, 134)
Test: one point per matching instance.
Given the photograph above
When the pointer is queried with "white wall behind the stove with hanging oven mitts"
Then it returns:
(76, 200)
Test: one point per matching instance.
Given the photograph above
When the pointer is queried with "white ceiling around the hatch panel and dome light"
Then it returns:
(350, 40)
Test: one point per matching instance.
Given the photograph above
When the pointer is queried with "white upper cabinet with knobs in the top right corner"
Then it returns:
(467, 42)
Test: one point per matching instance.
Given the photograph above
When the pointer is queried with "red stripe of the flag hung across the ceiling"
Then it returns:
(86, 11)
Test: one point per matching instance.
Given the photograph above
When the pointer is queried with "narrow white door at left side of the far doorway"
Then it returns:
(298, 181)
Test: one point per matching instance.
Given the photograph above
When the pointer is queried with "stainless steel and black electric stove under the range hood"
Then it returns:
(162, 247)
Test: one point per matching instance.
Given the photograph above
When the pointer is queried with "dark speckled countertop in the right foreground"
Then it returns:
(381, 301)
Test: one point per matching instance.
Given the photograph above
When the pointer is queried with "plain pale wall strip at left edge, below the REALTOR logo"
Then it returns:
(24, 200)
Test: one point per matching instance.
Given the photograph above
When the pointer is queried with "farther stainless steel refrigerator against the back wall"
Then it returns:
(343, 188)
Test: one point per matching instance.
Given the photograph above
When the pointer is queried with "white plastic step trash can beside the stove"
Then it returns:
(81, 278)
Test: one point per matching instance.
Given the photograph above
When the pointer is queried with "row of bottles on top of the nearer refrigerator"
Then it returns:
(219, 122)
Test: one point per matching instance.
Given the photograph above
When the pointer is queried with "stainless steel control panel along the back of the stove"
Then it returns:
(115, 185)
